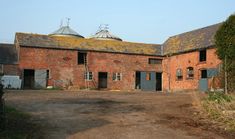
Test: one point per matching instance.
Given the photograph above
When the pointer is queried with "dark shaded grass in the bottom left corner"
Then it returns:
(18, 125)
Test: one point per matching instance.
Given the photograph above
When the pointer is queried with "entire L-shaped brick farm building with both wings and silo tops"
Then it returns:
(66, 59)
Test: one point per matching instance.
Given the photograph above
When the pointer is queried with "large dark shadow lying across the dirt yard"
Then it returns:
(62, 117)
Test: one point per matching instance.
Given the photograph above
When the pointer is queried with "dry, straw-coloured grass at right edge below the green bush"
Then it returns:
(221, 108)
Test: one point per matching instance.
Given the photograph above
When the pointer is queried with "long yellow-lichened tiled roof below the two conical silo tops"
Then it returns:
(61, 42)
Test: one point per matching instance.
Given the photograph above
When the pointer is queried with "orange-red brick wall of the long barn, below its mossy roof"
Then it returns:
(62, 65)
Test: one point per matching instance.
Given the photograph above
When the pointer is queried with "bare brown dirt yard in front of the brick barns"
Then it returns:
(114, 115)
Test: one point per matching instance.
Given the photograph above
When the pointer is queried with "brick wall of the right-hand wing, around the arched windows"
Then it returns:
(191, 59)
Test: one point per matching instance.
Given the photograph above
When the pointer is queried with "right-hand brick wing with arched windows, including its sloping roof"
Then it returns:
(190, 61)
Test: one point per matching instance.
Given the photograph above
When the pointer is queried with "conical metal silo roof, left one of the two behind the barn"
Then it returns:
(66, 31)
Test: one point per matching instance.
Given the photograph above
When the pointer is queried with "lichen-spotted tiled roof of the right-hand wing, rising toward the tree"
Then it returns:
(189, 41)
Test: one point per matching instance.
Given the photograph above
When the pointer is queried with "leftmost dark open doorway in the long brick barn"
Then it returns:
(28, 79)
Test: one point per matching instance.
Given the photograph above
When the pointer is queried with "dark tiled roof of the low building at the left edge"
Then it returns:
(8, 54)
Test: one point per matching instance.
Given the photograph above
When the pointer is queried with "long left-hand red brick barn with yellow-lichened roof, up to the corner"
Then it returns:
(69, 60)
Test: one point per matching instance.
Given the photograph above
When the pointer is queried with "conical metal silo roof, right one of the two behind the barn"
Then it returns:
(104, 34)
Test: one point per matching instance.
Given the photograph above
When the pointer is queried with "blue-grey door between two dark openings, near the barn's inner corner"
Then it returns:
(148, 81)
